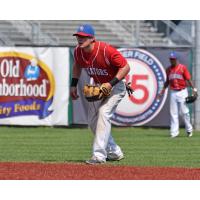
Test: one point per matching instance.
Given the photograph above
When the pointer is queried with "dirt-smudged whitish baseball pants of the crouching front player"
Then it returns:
(99, 120)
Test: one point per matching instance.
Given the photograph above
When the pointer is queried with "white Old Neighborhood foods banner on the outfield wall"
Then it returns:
(34, 86)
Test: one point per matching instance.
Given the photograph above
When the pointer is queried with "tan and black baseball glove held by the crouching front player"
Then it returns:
(95, 93)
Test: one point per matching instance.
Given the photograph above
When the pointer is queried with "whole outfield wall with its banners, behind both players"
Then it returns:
(34, 87)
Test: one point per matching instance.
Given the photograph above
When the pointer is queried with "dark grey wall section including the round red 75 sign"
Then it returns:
(146, 76)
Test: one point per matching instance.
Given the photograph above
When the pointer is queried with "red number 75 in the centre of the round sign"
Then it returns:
(136, 86)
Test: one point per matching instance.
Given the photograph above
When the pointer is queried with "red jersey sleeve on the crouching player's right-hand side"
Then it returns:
(115, 58)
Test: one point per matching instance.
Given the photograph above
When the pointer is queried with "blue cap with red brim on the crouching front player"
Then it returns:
(85, 30)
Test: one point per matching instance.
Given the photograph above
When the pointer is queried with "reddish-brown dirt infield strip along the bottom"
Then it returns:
(67, 171)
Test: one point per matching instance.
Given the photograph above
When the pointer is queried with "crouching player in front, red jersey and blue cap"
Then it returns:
(105, 65)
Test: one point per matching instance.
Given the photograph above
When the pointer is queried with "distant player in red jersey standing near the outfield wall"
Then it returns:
(178, 77)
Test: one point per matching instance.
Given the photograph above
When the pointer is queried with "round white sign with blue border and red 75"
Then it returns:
(147, 77)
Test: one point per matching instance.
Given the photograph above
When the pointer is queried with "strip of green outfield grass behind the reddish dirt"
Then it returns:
(142, 146)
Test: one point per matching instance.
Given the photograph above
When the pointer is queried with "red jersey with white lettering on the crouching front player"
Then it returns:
(102, 64)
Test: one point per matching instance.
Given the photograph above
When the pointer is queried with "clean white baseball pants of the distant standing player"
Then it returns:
(178, 106)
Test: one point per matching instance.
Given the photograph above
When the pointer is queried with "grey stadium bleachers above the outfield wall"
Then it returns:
(124, 33)
